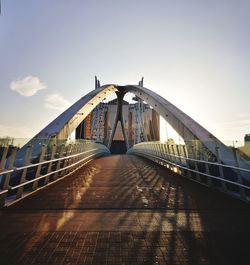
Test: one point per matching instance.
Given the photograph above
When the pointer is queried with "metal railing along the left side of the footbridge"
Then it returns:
(54, 162)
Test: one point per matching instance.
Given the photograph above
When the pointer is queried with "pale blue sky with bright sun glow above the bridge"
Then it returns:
(194, 53)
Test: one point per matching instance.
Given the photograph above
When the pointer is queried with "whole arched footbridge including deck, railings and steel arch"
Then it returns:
(65, 202)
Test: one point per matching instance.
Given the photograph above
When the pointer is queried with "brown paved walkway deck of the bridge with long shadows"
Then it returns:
(125, 210)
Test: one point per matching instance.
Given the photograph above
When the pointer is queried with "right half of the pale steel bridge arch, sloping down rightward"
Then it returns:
(184, 125)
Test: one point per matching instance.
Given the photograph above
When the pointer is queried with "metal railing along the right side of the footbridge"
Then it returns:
(232, 180)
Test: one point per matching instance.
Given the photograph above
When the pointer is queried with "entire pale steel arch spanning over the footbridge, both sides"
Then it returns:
(188, 129)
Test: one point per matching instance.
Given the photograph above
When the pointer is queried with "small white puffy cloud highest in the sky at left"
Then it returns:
(28, 86)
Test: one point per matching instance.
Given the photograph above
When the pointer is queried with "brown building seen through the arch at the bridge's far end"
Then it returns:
(141, 122)
